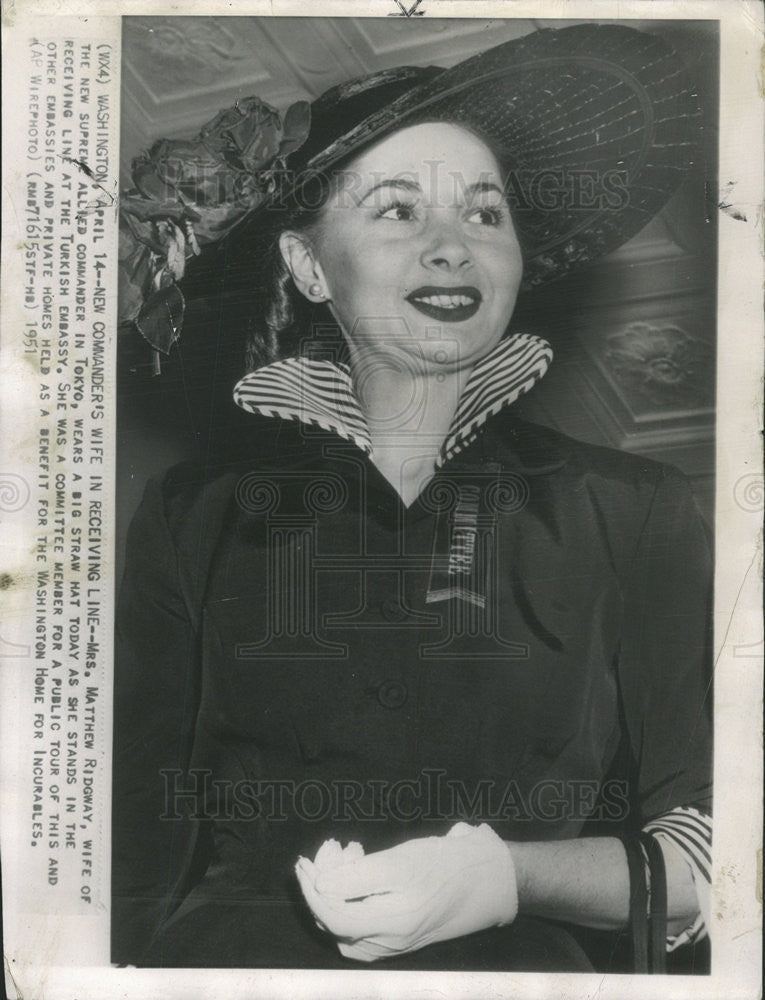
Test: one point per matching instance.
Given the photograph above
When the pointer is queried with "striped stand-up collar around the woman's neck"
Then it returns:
(321, 393)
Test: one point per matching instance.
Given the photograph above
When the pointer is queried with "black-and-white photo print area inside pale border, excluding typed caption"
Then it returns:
(413, 656)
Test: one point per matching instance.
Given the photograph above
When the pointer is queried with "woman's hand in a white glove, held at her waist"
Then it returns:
(424, 890)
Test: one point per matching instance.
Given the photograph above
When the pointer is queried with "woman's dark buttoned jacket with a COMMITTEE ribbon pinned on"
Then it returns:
(286, 670)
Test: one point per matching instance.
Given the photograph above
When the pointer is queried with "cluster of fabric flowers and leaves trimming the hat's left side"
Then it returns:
(188, 194)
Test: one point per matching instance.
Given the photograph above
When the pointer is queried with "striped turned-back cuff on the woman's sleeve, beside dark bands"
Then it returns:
(688, 832)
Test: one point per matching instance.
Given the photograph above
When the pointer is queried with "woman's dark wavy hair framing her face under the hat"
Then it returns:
(282, 322)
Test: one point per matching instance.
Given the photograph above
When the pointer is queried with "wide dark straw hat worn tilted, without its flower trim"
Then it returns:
(600, 124)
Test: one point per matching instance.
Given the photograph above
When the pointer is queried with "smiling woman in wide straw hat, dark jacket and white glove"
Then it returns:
(395, 606)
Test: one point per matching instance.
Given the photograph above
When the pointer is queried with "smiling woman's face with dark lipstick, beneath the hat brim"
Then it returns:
(417, 249)
